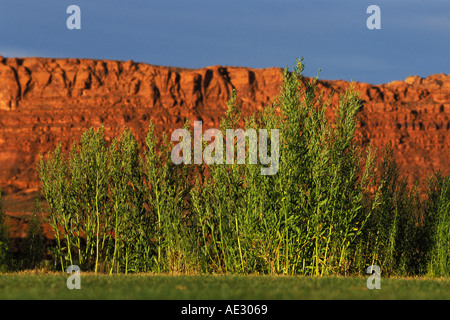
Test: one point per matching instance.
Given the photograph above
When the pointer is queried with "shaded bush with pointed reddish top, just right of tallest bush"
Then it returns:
(393, 234)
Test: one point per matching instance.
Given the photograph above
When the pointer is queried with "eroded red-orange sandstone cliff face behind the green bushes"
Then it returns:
(47, 101)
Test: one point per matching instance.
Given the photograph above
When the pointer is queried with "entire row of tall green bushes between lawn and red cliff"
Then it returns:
(332, 208)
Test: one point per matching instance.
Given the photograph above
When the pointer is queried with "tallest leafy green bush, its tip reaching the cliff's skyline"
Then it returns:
(321, 180)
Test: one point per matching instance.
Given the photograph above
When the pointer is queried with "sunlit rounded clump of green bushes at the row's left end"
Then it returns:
(90, 200)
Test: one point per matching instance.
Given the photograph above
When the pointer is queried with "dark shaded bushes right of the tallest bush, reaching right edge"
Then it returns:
(406, 235)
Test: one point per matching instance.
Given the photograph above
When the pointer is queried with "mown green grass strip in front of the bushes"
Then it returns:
(53, 286)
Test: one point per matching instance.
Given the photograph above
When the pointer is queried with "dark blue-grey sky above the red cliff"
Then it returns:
(414, 38)
